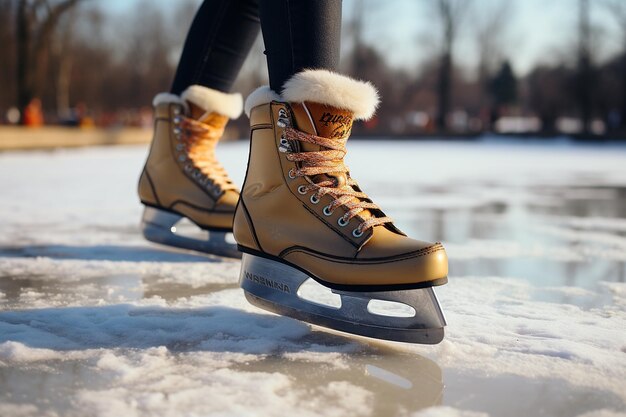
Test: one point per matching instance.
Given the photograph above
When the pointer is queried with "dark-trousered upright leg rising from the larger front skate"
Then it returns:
(300, 34)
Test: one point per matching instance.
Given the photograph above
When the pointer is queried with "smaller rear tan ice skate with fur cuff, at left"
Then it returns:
(182, 178)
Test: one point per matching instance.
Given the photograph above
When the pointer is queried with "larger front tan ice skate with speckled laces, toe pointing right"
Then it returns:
(301, 216)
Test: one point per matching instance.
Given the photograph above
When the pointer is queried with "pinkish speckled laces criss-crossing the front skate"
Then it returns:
(328, 162)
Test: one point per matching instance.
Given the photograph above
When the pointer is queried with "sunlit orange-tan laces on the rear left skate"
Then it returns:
(200, 141)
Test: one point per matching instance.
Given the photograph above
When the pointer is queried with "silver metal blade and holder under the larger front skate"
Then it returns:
(278, 287)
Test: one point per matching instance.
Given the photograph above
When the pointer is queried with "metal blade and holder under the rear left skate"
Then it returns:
(162, 227)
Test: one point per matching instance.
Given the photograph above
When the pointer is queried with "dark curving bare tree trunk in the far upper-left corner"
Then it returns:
(36, 22)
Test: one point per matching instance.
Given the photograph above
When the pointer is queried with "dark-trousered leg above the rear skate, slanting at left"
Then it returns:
(217, 44)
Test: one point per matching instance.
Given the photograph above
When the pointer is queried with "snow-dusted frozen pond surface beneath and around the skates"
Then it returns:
(96, 321)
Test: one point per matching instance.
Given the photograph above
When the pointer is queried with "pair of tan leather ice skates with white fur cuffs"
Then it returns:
(299, 215)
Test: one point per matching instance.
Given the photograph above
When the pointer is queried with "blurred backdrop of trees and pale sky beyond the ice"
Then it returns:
(444, 67)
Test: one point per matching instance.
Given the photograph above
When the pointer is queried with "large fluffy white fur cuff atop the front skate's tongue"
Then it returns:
(332, 89)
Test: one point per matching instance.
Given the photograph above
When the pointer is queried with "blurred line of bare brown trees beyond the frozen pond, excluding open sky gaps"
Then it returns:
(82, 61)
